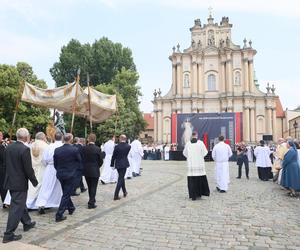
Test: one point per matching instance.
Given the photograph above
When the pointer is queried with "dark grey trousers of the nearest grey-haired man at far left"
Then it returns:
(17, 212)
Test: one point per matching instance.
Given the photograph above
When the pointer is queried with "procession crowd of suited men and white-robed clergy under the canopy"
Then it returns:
(36, 174)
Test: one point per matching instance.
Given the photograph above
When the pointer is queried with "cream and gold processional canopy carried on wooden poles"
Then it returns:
(62, 98)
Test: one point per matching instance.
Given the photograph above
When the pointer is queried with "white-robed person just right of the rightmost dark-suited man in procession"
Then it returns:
(136, 157)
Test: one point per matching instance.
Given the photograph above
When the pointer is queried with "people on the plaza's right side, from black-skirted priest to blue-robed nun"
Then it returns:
(280, 163)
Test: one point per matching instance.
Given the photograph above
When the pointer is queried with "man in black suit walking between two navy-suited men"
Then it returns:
(92, 161)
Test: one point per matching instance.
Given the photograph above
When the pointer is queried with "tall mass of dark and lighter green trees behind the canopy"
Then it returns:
(112, 71)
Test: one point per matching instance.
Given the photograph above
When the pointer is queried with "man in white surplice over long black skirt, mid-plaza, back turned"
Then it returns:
(195, 151)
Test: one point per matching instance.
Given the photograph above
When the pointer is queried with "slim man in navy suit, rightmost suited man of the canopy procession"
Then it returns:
(120, 161)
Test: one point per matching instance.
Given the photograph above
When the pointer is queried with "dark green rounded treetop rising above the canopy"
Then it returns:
(102, 60)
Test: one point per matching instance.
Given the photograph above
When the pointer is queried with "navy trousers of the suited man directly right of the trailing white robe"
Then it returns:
(67, 186)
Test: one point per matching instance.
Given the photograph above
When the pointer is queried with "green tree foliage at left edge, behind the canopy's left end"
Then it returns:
(33, 118)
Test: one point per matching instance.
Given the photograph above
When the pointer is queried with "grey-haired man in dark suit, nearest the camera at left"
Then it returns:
(17, 161)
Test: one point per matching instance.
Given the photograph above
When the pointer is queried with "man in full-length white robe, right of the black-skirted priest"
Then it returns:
(221, 154)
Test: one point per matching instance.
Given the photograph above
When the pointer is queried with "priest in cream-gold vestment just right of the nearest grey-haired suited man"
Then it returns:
(37, 150)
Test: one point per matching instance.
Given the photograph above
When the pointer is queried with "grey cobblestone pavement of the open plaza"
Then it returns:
(157, 214)
